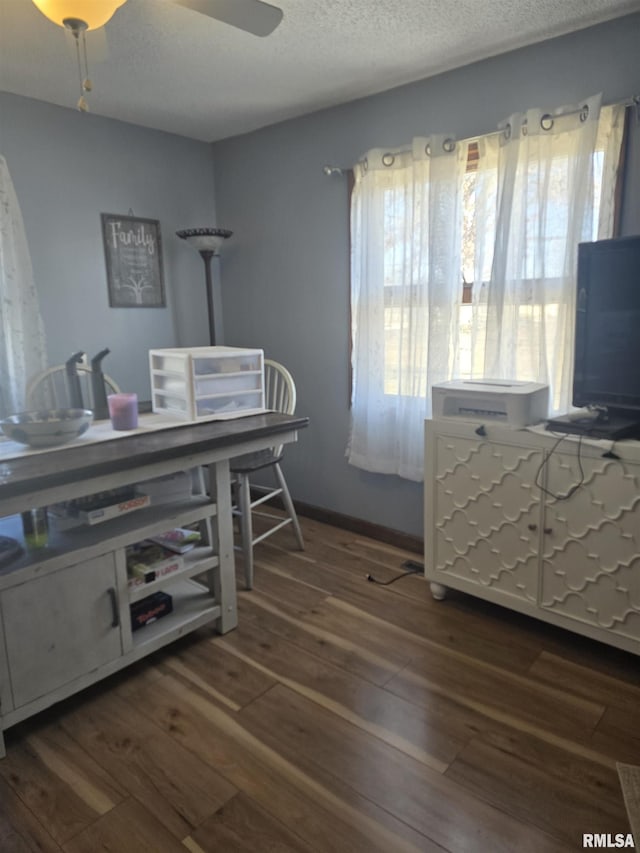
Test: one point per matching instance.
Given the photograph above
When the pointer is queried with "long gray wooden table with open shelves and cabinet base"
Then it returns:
(64, 609)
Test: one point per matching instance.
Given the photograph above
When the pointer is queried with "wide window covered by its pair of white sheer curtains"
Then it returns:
(463, 265)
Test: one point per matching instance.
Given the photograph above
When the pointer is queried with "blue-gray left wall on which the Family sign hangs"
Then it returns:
(67, 169)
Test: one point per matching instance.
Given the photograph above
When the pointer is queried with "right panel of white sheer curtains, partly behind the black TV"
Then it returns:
(544, 185)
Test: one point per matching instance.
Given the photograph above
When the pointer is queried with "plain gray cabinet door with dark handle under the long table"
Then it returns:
(60, 627)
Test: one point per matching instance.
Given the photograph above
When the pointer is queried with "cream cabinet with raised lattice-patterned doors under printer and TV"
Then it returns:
(543, 525)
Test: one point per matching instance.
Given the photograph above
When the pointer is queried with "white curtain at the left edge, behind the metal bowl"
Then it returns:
(22, 348)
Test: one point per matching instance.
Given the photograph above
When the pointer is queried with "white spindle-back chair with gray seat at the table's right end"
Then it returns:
(280, 396)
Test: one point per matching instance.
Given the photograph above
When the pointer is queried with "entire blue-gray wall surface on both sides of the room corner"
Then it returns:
(285, 271)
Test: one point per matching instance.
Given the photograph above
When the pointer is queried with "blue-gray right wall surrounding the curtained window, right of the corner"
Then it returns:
(285, 276)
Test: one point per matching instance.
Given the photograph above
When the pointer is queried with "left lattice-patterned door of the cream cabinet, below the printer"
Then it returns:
(486, 511)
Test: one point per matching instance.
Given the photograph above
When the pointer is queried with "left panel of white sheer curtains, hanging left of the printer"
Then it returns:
(406, 228)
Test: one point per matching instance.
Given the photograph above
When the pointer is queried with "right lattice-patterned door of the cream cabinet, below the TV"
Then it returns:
(591, 552)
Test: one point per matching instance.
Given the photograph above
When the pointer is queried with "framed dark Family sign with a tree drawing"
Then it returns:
(133, 253)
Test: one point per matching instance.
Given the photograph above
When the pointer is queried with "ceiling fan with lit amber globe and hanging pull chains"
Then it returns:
(79, 16)
